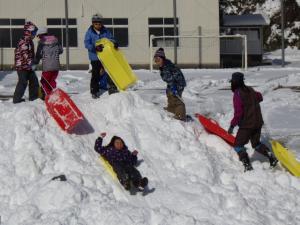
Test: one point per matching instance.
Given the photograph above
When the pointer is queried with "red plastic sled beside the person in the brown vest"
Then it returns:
(213, 127)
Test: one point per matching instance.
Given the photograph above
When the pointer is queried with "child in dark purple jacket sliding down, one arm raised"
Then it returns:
(122, 160)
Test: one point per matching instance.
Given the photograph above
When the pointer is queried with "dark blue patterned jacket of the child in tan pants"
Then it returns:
(173, 76)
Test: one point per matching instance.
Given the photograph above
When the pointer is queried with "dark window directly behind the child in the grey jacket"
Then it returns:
(57, 27)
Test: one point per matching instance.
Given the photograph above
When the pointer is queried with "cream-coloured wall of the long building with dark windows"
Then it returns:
(192, 14)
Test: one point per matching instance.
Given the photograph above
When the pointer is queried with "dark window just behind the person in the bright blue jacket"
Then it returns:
(119, 29)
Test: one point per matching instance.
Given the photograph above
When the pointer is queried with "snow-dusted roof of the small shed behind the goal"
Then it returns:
(244, 20)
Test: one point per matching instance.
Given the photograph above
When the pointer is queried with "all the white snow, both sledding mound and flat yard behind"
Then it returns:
(197, 177)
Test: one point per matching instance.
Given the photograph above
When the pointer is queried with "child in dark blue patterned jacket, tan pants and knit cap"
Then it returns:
(175, 80)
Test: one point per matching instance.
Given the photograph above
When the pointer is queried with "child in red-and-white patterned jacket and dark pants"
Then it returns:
(24, 55)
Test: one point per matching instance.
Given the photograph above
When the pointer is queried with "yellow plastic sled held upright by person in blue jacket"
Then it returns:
(116, 65)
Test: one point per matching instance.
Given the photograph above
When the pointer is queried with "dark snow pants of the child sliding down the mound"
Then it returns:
(127, 173)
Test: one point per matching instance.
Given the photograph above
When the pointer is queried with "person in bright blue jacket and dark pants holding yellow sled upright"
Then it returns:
(95, 32)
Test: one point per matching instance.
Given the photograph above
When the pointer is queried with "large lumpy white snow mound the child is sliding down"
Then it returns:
(197, 177)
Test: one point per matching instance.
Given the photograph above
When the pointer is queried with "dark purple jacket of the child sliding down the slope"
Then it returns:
(114, 156)
